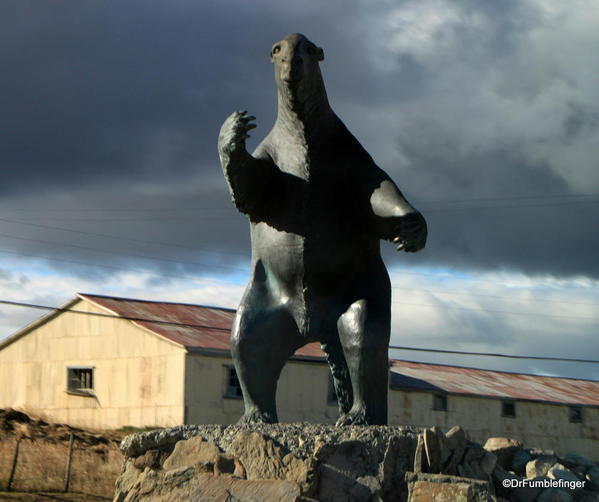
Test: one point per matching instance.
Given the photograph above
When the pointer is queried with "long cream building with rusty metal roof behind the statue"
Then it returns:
(107, 362)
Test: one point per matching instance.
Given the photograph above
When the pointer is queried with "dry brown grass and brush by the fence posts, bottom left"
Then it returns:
(42, 458)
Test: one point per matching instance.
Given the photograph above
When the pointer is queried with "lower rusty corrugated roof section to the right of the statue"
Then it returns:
(498, 384)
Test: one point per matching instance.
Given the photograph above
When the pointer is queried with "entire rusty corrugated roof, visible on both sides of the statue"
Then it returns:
(209, 328)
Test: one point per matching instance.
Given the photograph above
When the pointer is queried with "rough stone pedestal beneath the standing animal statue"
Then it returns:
(302, 462)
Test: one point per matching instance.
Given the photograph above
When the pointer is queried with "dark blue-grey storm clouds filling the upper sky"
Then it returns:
(110, 106)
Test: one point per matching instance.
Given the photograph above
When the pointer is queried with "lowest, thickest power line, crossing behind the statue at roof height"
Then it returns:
(227, 330)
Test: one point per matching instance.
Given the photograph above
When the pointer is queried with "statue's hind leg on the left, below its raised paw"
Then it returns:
(261, 343)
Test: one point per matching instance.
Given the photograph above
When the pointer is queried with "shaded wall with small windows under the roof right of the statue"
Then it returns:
(538, 425)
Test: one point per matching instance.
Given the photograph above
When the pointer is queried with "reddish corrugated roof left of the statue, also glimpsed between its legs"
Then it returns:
(194, 326)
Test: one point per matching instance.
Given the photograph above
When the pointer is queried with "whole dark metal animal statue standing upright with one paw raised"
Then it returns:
(318, 207)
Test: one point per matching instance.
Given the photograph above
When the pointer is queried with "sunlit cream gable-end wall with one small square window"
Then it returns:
(138, 377)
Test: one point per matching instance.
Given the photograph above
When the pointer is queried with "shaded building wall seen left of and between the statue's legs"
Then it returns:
(301, 392)
